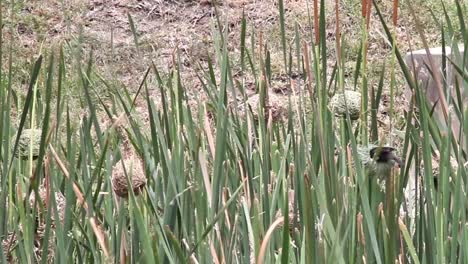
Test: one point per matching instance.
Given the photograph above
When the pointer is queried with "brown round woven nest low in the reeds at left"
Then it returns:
(132, 168)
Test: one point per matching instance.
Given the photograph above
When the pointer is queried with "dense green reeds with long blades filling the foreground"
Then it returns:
(223, 181)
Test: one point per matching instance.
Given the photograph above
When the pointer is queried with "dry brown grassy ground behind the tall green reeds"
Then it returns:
(165, 28)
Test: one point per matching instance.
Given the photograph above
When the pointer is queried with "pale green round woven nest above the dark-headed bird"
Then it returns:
(351, 106)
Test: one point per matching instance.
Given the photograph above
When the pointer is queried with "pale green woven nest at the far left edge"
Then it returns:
(28, 137)
